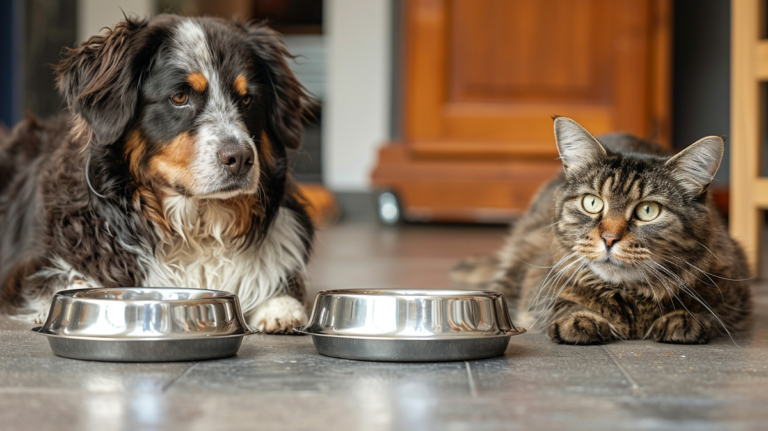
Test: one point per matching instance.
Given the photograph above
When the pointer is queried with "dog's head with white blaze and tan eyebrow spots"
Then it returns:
(197, 107)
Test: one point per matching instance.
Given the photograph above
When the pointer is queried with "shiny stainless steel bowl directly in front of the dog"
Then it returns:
(136, 324)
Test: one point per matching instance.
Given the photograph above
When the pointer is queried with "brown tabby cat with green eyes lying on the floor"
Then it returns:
(625, 243)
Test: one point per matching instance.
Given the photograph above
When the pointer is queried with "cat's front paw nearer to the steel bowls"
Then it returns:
(581, 327)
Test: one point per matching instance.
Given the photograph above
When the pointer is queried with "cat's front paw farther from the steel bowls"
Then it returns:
(681, 327)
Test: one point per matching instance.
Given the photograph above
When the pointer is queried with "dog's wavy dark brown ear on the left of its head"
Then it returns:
(100, 79)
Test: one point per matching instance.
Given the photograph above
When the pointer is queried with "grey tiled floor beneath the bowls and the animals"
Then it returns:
(280, 383)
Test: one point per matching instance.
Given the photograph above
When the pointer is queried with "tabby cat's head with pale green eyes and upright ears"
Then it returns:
(623, 212)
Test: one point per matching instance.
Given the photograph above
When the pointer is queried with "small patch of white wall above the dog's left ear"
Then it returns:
(93, 15)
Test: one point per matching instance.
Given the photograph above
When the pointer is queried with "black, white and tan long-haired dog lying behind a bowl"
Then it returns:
(169, 170)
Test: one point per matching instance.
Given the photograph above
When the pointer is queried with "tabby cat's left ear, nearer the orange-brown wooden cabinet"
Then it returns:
(576, 146)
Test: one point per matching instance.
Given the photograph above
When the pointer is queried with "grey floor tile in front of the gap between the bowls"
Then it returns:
(277, 364)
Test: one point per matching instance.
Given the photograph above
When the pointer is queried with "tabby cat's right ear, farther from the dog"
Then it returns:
(696, 166)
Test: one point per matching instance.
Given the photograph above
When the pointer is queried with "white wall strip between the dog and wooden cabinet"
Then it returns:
(356, 110)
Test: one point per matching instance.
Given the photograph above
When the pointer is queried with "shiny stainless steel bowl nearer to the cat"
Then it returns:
(410, 325)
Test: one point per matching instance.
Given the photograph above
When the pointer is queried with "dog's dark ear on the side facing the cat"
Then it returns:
(290, 100)
